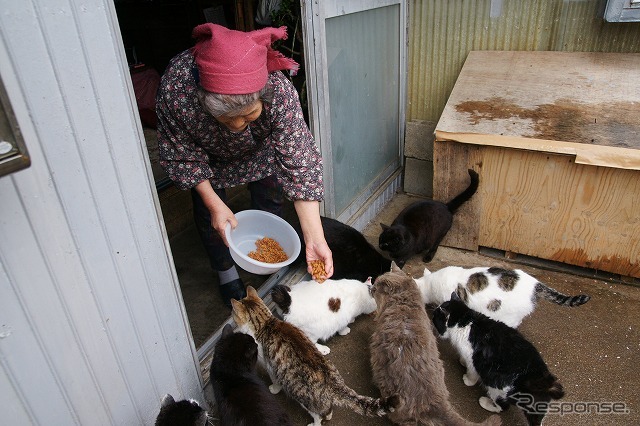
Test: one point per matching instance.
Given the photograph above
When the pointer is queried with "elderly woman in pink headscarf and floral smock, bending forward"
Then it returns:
(228, 116)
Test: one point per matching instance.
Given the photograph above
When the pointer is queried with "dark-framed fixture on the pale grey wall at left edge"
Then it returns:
(13, 152)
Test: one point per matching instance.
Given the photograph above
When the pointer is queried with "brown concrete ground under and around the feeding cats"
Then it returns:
(592, 349)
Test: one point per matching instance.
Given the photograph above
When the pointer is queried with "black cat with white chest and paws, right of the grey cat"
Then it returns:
(508, 365)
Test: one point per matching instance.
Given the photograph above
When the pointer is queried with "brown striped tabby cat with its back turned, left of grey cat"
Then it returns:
(295, 364)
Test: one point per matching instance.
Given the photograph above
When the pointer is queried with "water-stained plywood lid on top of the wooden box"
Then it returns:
(585, 104)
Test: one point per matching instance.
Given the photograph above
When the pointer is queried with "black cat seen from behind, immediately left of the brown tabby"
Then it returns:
(241, 396)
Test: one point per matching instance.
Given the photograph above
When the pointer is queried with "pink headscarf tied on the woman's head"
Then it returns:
(235, 62)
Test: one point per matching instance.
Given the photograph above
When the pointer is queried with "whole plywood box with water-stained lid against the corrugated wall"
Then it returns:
(555, 137)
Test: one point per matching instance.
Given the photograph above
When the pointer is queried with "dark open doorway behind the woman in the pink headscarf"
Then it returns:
(152, 34)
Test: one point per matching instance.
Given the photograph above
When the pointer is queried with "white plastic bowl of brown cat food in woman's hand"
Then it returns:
(254, 225)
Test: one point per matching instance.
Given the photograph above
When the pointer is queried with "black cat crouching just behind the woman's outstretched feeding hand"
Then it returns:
(353, 256)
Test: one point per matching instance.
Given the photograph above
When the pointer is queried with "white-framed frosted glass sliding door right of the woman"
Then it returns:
(355, 54)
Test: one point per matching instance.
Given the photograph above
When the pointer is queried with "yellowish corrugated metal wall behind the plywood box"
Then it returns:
(441, 34)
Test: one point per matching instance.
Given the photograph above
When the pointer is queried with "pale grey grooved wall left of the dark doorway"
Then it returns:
(92, 328)
